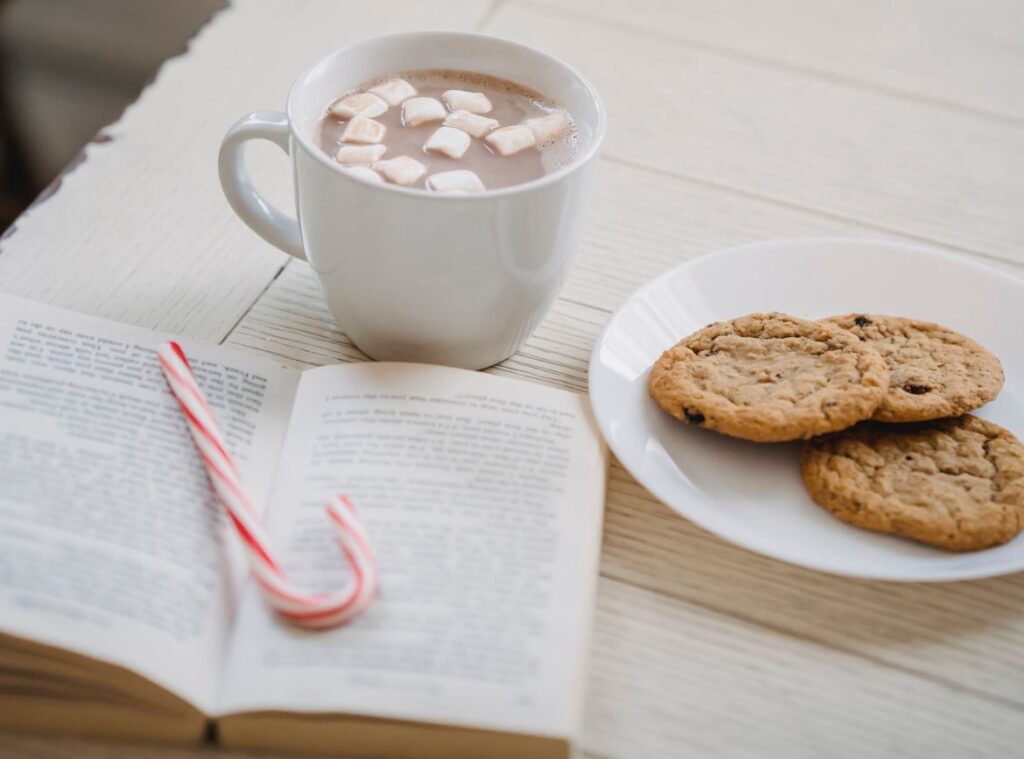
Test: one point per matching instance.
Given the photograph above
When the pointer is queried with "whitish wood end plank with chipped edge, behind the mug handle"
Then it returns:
(140, 232)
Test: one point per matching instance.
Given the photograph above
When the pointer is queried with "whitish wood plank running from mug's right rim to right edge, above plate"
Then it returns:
(859, 155)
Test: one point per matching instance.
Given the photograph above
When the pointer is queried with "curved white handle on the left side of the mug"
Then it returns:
(276, 228)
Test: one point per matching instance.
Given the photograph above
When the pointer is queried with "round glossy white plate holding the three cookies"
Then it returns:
(751, 494)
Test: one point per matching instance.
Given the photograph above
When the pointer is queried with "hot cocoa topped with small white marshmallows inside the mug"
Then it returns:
(447, 132)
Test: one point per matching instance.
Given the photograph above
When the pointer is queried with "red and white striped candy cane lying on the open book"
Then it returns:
(308, 610)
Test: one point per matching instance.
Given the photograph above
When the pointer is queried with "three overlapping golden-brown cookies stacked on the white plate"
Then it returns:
(882, 403)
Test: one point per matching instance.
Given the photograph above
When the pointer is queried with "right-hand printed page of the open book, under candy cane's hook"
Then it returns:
(484, 498)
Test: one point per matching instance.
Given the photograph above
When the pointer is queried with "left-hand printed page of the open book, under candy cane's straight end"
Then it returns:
(112, 543)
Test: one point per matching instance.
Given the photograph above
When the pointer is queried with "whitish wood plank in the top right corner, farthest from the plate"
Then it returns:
(959, 54)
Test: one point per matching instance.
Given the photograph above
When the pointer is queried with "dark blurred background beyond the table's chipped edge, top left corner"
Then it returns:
(69, 68)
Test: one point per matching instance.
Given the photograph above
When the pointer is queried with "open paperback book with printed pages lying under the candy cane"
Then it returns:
(125, 608)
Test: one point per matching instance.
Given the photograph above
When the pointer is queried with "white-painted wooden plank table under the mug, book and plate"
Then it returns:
(731, 121)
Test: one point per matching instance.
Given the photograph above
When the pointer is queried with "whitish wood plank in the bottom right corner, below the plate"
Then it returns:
(671, 680)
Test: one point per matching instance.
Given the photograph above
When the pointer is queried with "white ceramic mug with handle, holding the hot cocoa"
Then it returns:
(408, 275)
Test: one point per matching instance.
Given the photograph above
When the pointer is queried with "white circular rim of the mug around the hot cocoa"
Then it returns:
(577, 163)
